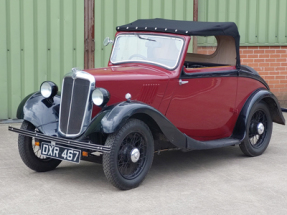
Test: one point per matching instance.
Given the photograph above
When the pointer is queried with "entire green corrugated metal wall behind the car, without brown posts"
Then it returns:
(43, 39)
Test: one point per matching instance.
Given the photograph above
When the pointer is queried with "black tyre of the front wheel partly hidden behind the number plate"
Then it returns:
(30, 153)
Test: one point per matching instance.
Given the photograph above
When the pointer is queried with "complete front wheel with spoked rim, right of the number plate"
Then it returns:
(131, 155)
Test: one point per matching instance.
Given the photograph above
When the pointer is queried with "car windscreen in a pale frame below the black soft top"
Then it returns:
(161, 50)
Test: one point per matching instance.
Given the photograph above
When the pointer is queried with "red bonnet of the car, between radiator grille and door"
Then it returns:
(136, 79)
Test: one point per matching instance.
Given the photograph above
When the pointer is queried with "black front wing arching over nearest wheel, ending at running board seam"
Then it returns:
(118, 115)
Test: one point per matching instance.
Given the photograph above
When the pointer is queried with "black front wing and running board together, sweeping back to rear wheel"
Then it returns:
(119, 114)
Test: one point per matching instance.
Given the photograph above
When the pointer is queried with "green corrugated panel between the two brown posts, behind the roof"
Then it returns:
(111, 13)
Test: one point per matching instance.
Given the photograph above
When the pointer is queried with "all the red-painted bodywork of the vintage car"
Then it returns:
(204, 109)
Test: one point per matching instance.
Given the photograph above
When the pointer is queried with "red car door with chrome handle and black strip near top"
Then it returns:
(202, 105)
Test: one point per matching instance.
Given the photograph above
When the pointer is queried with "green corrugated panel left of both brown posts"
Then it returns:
(40, 40)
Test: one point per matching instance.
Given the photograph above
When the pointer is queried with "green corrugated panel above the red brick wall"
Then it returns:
(260, 22)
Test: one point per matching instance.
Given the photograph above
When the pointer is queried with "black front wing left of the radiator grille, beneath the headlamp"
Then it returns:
(41, 112)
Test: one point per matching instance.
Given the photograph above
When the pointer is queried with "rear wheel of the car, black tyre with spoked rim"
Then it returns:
(258, 131)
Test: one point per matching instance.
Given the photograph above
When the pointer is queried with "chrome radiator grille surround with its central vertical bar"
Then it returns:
(89, 104)
